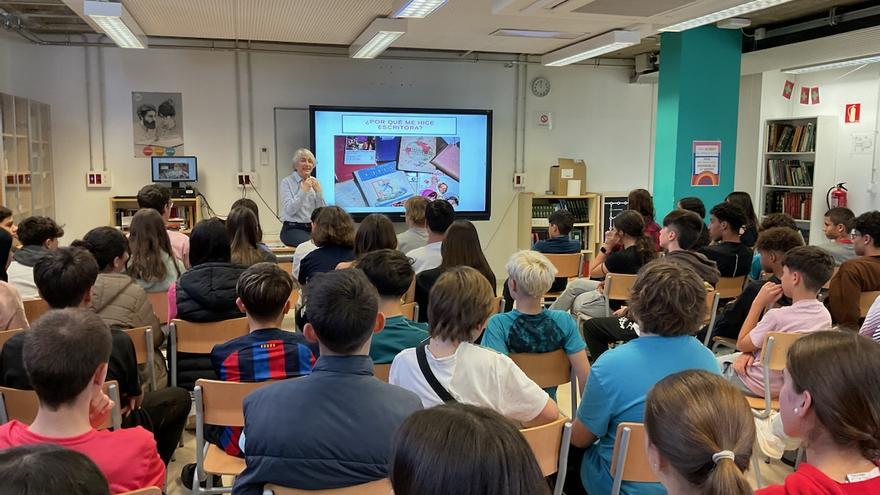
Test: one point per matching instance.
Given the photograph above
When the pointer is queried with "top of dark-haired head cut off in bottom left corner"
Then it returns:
(23, 470)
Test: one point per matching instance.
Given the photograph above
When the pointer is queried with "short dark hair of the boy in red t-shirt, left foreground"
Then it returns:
(61, 352)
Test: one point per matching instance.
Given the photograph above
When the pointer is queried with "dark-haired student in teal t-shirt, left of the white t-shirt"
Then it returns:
(392, 274)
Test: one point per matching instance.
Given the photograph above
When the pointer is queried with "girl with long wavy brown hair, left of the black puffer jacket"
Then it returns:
(152, 263)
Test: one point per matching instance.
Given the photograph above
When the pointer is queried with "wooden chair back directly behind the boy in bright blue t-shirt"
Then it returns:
(629, 461)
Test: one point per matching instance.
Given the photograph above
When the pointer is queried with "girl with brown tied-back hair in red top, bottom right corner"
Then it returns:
(830, 399)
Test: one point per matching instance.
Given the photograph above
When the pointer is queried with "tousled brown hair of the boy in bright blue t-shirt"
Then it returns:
(664, 296)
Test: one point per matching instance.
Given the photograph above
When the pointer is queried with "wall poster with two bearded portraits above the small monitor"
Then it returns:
(157, 120)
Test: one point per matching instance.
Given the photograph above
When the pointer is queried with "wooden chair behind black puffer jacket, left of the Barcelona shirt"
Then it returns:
(200, 338)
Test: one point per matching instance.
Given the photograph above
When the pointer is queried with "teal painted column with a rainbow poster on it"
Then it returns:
(697, 100)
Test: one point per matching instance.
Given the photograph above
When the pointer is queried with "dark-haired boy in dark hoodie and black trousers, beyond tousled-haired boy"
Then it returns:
(681, 230)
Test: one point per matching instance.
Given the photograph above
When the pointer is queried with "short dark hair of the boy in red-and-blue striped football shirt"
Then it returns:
(264, 288)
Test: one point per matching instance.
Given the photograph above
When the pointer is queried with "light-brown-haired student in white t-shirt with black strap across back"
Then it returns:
(461, 302)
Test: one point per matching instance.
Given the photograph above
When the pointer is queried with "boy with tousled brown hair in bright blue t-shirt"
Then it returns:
(662, 303)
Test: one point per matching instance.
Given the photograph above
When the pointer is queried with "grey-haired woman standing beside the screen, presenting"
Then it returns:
(300, 193)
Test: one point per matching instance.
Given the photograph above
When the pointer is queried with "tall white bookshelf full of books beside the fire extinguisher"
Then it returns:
(797, 169)
